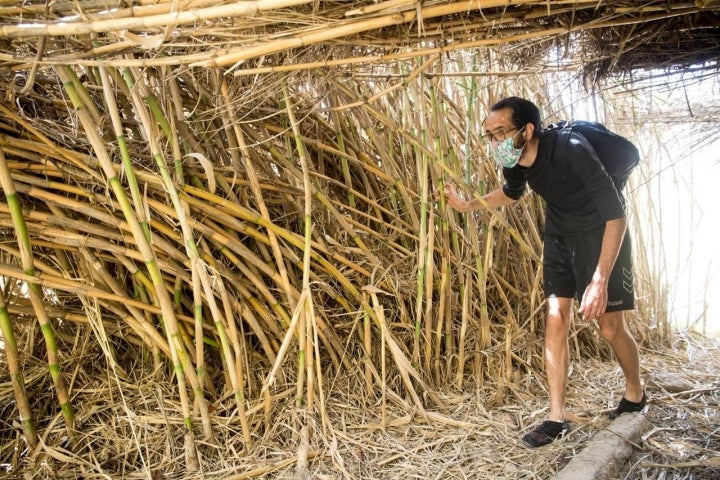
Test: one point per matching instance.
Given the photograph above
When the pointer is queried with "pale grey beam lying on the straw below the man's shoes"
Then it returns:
(608, 451)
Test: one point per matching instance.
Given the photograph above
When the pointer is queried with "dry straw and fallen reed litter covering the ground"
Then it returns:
(468, 441)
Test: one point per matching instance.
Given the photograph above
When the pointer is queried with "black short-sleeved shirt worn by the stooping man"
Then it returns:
(578, 193)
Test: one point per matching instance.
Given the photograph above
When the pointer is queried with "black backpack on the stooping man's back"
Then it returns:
(617, 154)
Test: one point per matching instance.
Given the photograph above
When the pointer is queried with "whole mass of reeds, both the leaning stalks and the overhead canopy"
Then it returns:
(217, 214)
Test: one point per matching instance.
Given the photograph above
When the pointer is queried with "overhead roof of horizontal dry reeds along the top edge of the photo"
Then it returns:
(267, 35)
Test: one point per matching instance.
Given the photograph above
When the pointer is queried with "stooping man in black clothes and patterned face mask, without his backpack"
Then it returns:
(586, 253)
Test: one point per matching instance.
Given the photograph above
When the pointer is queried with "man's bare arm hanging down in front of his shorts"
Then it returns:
(594, 300)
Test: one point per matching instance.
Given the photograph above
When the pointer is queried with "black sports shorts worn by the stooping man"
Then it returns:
(570, 262)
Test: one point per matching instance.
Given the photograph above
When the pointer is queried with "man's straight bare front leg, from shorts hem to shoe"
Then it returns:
(557, 354)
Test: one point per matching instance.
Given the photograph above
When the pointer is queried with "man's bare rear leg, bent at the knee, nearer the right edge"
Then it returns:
(614, 331)
